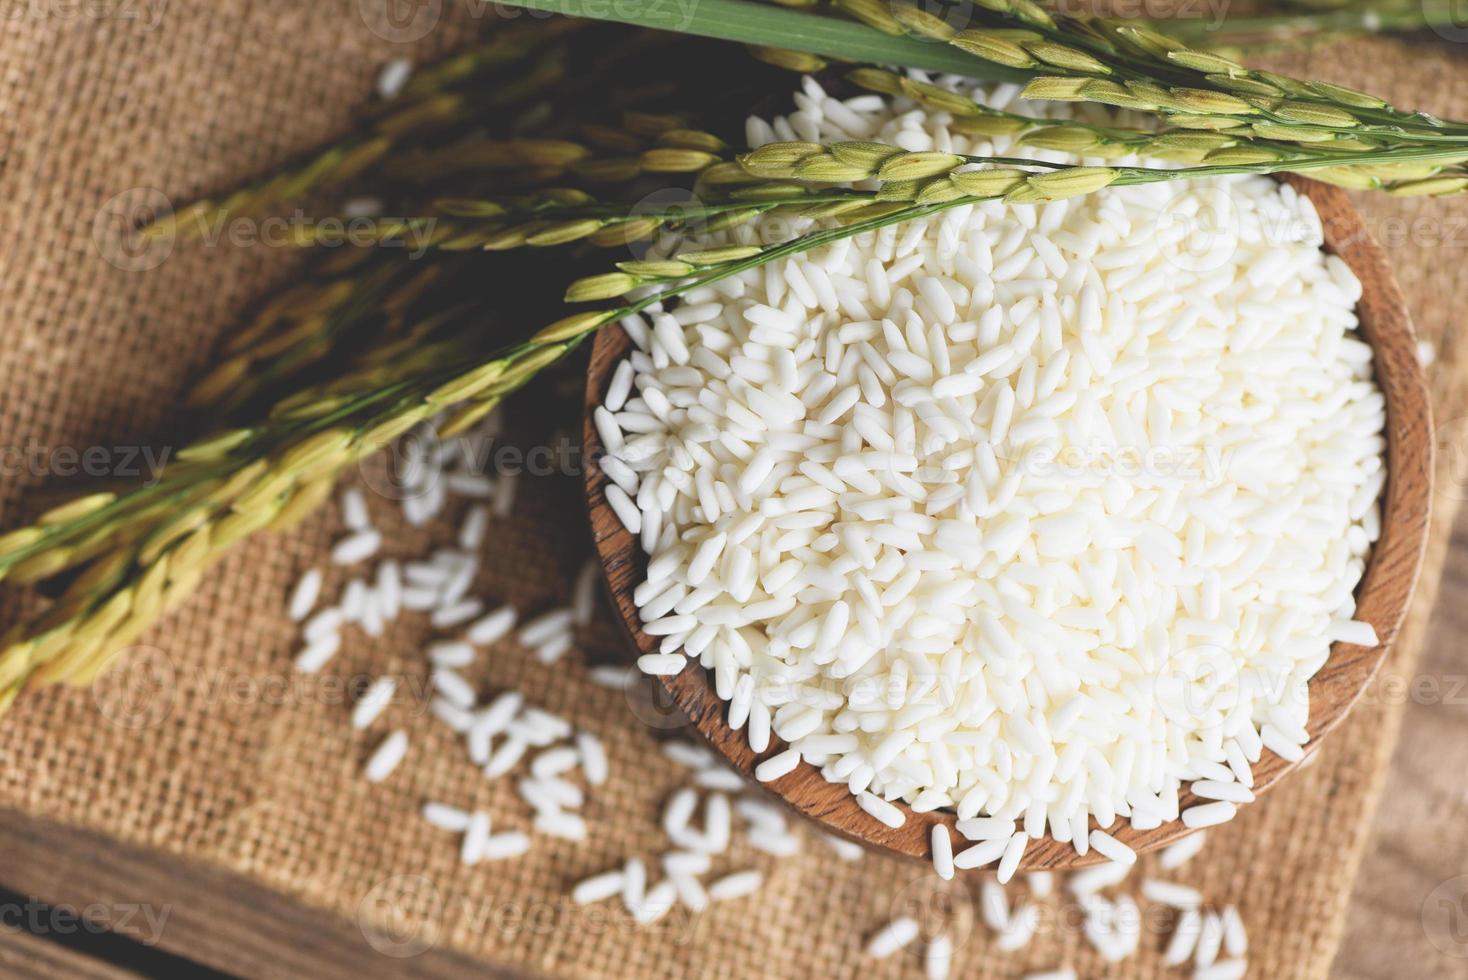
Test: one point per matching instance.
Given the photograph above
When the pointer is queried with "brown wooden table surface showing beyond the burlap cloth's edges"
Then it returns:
(1409, 916)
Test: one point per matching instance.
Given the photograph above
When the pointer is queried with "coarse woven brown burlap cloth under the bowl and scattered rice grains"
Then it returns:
(236, 765)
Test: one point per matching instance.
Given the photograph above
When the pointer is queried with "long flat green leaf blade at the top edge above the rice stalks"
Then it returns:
(780, 27)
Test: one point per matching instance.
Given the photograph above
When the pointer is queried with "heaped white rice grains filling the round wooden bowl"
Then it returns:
(1034, 513)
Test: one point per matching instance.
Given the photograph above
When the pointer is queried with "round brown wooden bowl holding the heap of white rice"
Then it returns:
(1384, 592)
